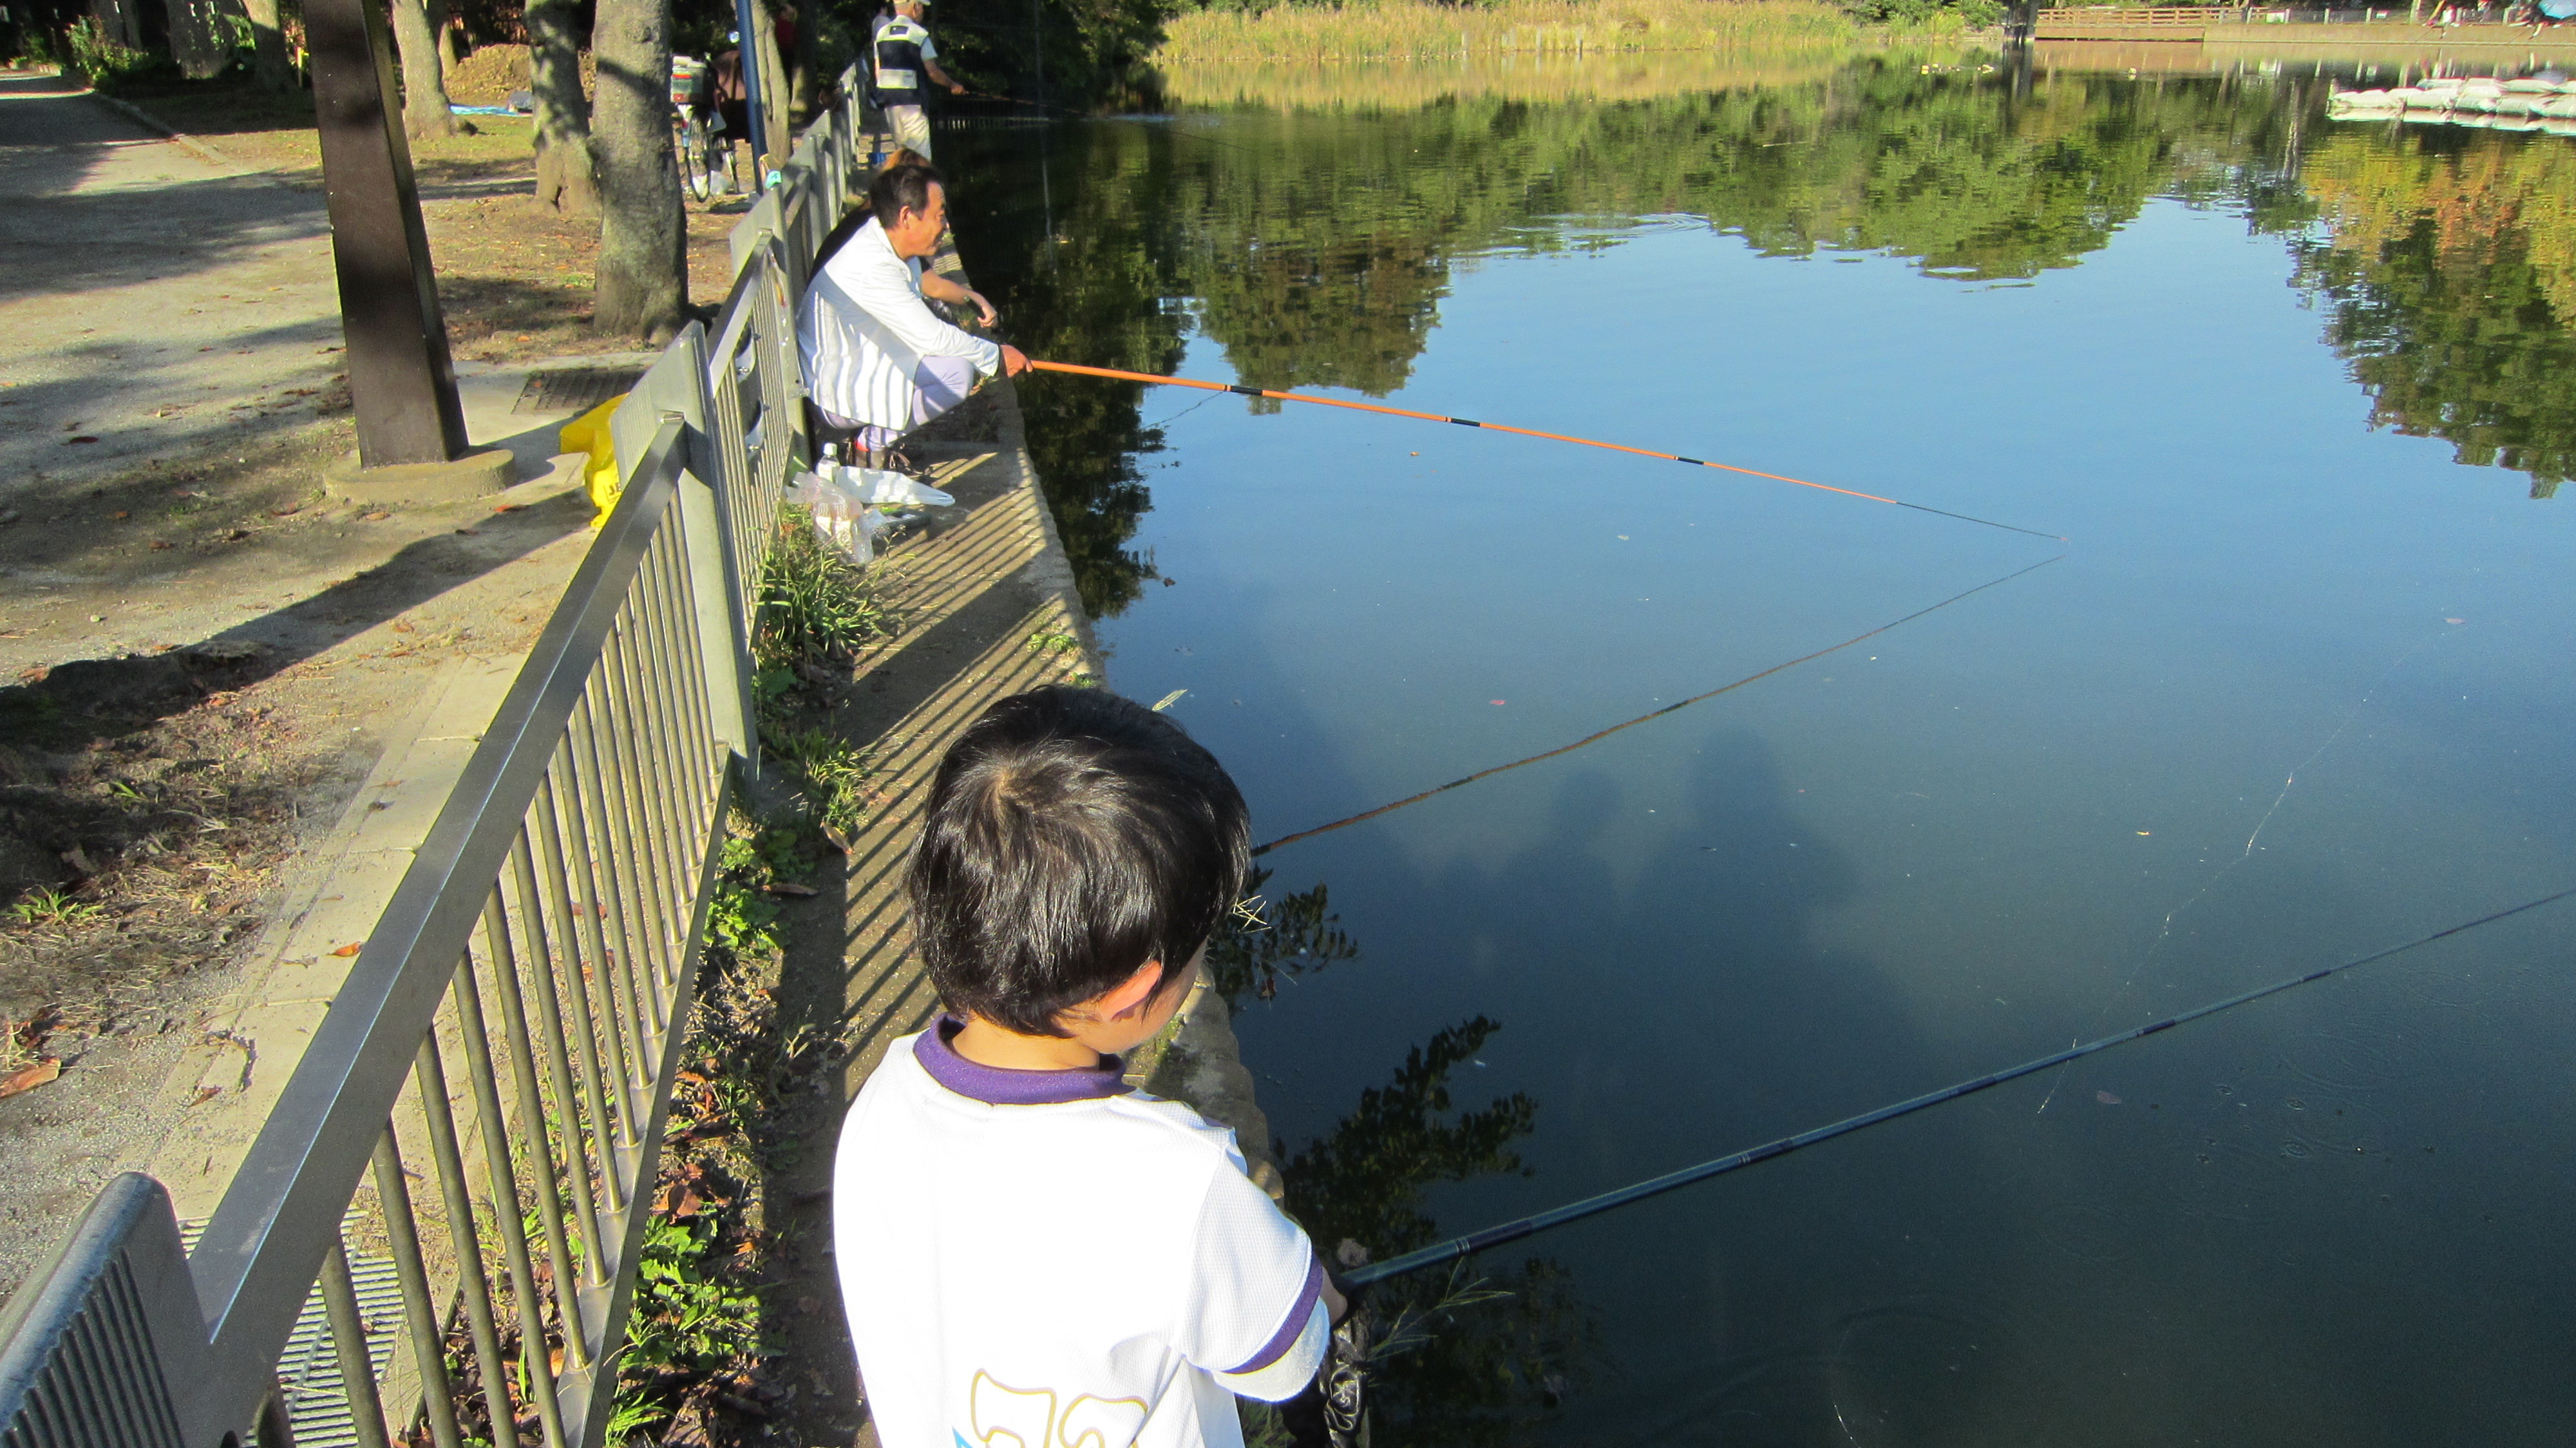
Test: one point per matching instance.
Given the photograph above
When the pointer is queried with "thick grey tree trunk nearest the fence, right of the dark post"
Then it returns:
(643, 228)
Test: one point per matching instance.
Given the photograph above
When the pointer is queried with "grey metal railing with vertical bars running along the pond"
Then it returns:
(478, 1119)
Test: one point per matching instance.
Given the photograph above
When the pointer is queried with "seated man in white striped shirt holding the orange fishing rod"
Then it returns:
(877, 359)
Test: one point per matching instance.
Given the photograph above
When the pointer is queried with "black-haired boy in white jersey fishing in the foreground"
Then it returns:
(1029, 1251)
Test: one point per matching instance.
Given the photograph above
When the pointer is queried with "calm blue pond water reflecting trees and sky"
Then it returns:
(2294, 689)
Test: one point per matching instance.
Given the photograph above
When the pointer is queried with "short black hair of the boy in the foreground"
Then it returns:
(1073, 836)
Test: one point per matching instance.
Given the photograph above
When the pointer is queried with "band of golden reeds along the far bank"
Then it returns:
(1416, 30)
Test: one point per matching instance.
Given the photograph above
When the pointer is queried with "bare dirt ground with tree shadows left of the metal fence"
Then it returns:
(202, 658)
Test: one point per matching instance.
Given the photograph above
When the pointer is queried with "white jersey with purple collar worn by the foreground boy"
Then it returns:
(1052, 1261)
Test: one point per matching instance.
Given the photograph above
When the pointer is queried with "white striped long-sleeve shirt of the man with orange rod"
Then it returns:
(864, 331)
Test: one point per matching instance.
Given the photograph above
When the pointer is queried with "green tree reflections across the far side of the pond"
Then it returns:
(1318, 241)
